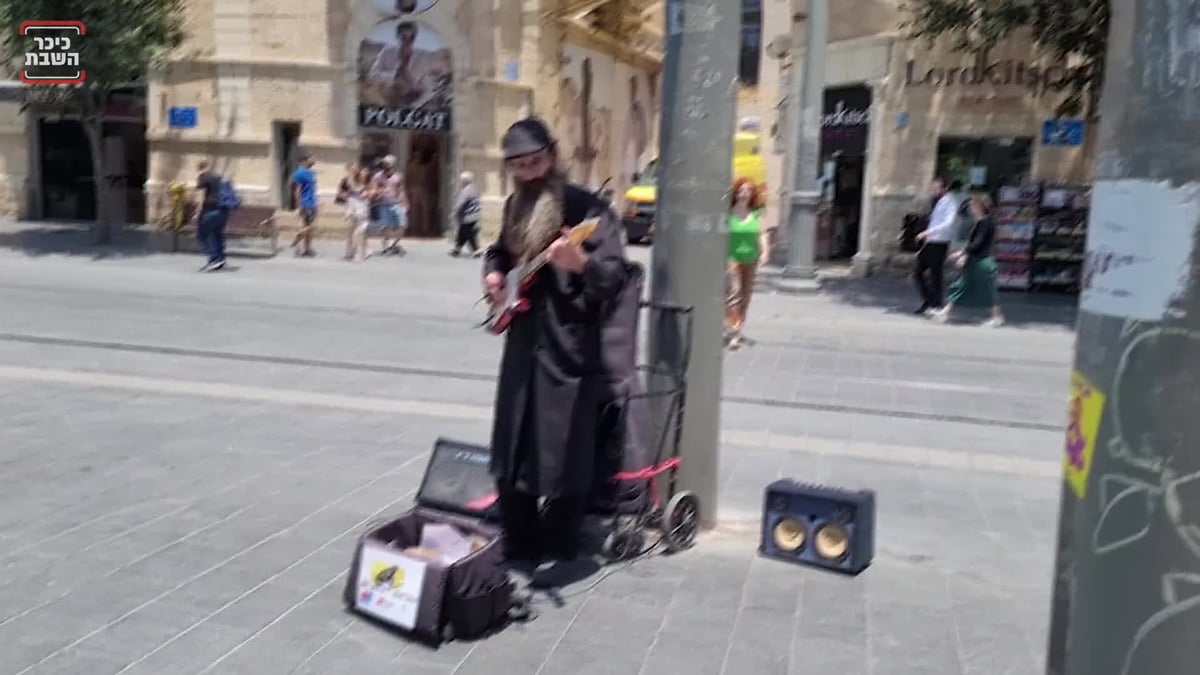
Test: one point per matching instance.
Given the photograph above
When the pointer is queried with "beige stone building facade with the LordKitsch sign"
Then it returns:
(922, 103)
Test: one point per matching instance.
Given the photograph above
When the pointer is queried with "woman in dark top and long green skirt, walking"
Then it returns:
(976, 285)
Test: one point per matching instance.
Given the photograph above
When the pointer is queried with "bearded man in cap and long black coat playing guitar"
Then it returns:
(553, 377)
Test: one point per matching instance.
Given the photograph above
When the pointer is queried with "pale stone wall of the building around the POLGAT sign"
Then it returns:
(255, 69)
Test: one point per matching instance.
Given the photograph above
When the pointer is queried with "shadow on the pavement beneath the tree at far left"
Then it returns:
(79, 241)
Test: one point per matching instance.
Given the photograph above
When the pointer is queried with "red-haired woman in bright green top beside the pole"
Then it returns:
(748, 249)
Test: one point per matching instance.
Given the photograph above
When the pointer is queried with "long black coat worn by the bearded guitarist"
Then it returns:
(553, 375)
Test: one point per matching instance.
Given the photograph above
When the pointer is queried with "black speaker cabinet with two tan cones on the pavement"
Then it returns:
(819, 527)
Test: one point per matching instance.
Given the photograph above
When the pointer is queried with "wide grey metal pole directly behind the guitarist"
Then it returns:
(688, 265)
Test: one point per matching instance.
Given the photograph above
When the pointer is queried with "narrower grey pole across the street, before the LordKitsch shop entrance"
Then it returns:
(805, 198)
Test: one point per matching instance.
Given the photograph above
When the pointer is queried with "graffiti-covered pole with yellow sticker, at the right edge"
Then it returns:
(1127, 581)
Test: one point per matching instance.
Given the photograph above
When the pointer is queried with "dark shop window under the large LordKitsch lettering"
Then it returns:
(986, 164)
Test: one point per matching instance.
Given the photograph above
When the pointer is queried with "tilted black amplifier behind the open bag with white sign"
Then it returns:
(459, 480)
